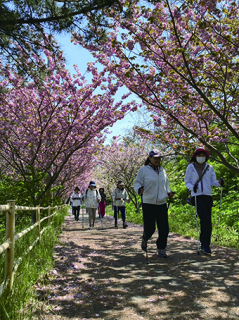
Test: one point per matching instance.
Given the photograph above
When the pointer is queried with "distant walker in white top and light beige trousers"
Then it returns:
(92, 198)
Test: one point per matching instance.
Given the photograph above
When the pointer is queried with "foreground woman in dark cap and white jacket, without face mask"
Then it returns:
(152, 184)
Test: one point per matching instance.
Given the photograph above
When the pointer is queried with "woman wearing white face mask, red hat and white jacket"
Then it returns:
(199, 178)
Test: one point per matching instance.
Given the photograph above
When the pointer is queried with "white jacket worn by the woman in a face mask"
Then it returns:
(209, 179)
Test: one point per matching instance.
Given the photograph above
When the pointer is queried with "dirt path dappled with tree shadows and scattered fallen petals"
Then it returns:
(101, 274)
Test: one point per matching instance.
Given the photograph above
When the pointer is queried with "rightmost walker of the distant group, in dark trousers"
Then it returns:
(120, 197)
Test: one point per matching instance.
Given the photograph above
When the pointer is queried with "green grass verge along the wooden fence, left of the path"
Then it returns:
(21, 302)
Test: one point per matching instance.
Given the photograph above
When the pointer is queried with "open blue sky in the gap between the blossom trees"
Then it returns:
(75, 54)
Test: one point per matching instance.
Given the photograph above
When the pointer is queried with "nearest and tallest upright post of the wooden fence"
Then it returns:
(10, 233)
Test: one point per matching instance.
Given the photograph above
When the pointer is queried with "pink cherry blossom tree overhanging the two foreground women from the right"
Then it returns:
(181, 59)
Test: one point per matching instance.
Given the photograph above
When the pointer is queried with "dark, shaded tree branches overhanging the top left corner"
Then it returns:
(24, 22)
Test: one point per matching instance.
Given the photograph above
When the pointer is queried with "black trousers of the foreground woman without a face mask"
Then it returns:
(156, 213)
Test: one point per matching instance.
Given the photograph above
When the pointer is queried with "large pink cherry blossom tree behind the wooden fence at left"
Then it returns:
(49, 118)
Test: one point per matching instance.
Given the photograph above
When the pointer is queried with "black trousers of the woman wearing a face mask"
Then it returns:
(204, 211)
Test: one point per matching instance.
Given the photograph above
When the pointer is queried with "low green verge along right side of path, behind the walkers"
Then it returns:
(182, 220)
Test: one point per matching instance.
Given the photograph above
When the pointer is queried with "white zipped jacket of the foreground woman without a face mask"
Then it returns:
(156, 185)
